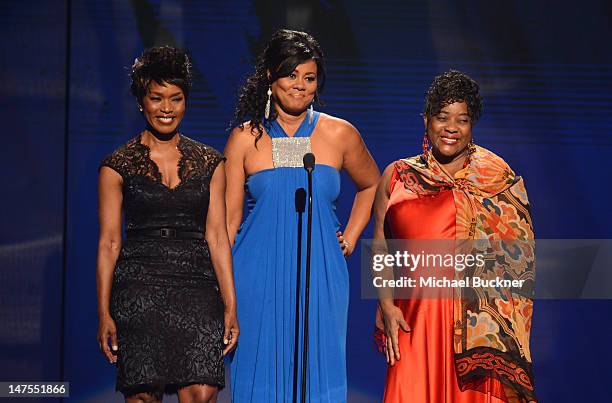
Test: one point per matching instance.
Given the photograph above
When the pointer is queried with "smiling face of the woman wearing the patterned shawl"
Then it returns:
(450, 132)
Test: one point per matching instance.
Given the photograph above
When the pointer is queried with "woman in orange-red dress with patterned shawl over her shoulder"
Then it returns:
(472, 345)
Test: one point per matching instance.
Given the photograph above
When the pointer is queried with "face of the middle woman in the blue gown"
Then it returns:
(294, 93)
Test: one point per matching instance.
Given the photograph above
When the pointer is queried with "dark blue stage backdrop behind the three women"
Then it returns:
(545, 70)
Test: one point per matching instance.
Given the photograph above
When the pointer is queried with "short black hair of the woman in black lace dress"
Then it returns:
(163, 64)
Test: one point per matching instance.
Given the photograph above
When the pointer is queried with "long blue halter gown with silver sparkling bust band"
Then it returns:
(265, 267)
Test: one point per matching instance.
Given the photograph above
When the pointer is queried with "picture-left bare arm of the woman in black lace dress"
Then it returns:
(109, 244)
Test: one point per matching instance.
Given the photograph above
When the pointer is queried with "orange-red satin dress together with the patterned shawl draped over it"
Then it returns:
(462, 350)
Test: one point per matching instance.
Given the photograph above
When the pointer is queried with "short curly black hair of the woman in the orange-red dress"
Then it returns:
(453, 86)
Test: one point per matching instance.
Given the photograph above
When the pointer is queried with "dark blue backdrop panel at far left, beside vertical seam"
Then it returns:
(32, 103)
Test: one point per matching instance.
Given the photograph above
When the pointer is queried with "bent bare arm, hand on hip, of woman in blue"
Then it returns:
(364, 172)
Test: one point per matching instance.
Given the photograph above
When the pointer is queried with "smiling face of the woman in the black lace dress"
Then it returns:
(164, 107)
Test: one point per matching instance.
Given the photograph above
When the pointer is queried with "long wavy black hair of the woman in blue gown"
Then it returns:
(283, 53)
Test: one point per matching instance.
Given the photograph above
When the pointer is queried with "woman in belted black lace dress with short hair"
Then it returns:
(165, 293)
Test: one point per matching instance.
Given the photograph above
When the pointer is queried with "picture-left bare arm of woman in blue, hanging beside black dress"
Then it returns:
(234, 171)
